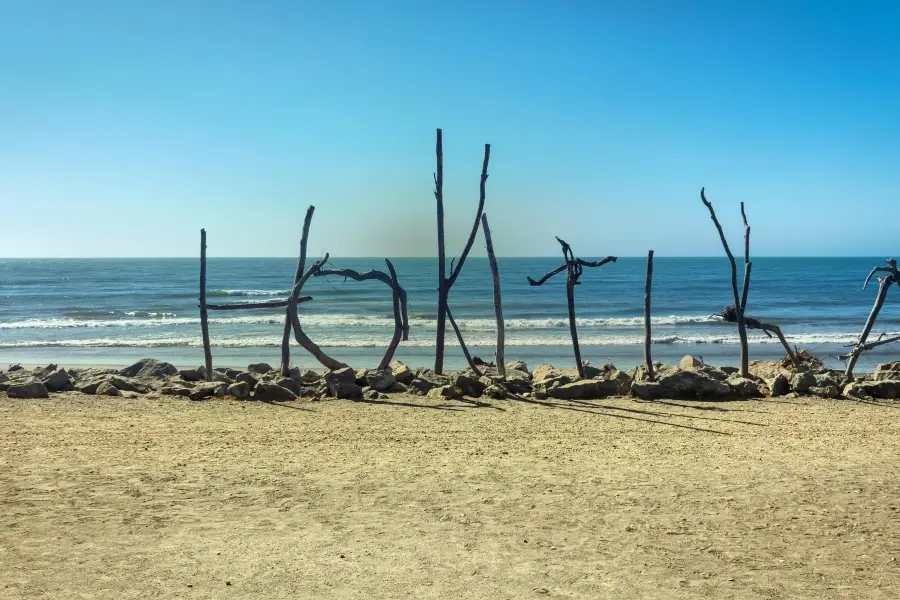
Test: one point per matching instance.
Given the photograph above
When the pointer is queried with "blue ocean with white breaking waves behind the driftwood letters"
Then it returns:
(114, 311)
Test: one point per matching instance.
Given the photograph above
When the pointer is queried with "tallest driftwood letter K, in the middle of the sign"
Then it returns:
(446, 282)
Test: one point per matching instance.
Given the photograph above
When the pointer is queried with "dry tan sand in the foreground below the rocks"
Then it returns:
(167, 498)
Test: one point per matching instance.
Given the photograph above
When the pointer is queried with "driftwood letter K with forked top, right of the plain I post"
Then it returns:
(736, 313)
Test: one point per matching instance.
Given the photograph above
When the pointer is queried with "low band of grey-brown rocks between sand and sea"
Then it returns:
(690, 380)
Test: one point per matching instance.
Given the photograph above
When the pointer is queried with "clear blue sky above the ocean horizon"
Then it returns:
(126, 126)
